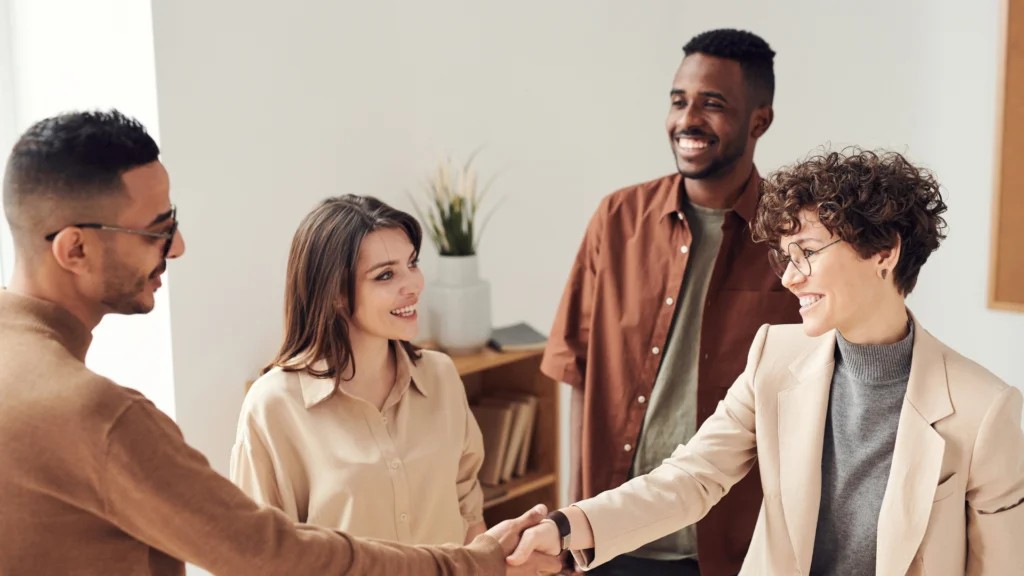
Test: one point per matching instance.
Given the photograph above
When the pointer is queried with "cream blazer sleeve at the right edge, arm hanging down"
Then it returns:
(996, 491)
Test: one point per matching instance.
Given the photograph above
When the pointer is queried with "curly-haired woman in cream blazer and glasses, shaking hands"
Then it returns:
(881, 450)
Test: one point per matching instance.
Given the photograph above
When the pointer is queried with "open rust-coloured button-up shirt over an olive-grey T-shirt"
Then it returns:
(614, 322)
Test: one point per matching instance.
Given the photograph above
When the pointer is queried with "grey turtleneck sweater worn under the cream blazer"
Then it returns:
(868, 389)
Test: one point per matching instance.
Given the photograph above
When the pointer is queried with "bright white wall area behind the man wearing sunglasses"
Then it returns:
(68, 55)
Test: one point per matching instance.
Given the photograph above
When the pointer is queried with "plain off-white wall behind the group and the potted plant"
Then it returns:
(267, 109)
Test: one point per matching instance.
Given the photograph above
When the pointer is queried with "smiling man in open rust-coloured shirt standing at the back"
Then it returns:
(664, 301)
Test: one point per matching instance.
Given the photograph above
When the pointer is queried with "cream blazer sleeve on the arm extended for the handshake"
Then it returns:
(682, 490)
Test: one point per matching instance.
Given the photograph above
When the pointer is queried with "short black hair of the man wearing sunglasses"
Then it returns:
(77, 156)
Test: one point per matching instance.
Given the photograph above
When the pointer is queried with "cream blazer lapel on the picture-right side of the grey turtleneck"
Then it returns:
(917, 459)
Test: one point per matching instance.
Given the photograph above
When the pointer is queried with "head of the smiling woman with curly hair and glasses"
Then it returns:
(886, 216)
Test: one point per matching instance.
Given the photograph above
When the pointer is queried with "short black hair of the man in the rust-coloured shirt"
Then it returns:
(754, 55)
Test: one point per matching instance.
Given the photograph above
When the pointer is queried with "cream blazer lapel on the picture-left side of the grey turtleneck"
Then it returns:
(802, 413)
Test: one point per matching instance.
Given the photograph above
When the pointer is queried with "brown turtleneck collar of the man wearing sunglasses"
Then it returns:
(53, 318)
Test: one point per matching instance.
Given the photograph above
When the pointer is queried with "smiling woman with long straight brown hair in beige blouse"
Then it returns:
(350, 406)
